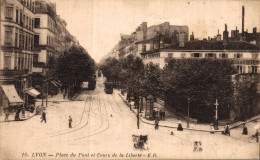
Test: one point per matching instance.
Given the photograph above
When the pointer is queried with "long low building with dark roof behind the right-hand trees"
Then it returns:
(244, 56)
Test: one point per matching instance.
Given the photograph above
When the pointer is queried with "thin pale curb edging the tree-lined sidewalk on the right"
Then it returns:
(215, 131)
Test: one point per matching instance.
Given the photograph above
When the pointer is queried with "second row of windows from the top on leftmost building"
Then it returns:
(23, 40)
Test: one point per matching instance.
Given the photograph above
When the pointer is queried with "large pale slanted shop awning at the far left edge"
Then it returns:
(12, 95)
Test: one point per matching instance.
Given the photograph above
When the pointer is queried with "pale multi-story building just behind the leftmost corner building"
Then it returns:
(44, 39)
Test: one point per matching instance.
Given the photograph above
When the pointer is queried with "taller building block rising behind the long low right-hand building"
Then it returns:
(154, 37)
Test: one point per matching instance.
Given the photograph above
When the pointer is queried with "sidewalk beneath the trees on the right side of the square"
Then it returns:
(171, 120)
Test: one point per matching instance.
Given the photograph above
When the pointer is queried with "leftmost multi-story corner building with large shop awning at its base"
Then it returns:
(17, 50)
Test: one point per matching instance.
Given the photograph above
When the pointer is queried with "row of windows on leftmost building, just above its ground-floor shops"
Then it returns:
(21, 61)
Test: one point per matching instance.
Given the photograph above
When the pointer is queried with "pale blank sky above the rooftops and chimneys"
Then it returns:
(97, 24)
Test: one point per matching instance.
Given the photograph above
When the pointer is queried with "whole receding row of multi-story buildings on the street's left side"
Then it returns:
(31, 35)
